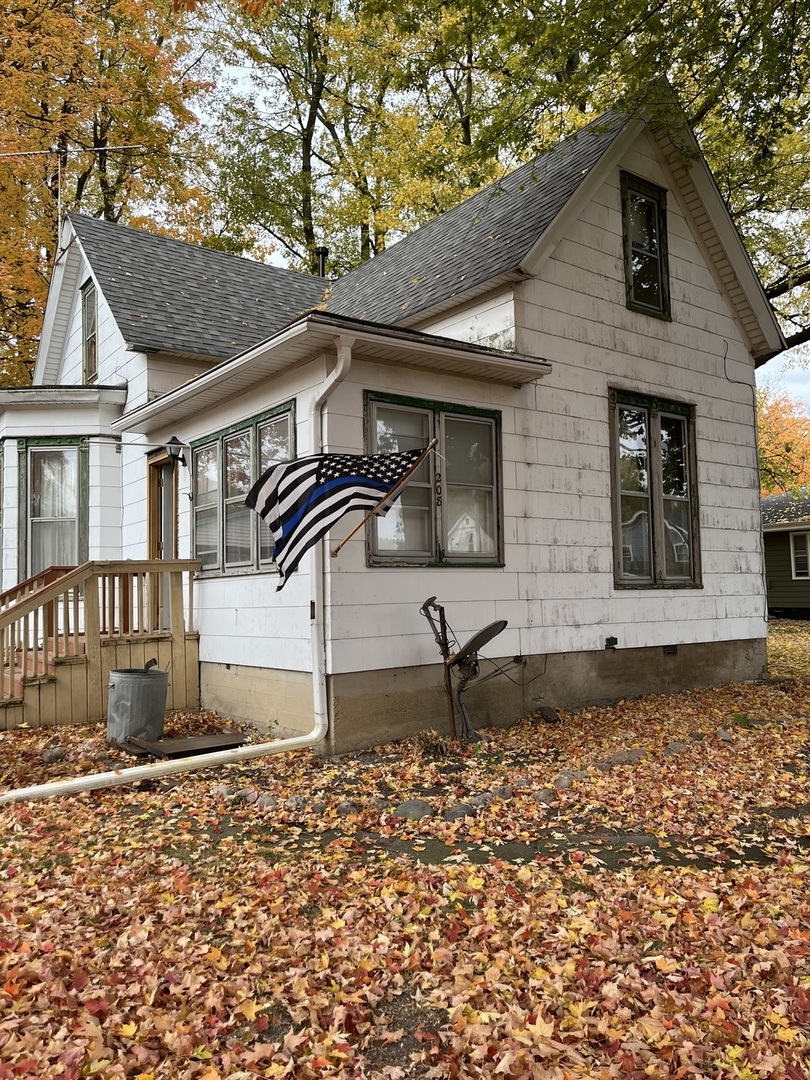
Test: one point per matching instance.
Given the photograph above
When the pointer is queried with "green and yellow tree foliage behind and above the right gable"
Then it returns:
(386, 114)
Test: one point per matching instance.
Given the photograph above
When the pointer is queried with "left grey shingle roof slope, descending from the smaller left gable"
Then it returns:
(172, 296)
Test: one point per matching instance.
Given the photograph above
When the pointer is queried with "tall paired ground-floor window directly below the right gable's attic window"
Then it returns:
(655, 493)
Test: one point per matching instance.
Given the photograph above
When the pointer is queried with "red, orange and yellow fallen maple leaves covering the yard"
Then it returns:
(192, 929)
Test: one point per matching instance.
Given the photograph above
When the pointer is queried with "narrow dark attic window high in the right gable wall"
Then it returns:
(646, 264)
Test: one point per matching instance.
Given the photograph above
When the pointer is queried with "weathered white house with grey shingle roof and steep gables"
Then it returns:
(582, 337)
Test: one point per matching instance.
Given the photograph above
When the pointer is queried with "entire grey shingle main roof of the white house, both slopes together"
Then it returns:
(172, 296)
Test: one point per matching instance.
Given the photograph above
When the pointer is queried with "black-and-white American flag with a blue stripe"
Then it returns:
(301, 501)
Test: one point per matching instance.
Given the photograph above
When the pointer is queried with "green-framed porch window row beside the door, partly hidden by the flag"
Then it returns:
(227, 535)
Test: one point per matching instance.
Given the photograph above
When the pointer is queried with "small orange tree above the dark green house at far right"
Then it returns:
(784, 431)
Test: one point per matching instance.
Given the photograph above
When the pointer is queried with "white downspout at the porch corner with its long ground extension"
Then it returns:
(159, 769)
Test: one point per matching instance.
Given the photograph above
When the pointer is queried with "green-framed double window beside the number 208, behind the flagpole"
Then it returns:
(450, 511)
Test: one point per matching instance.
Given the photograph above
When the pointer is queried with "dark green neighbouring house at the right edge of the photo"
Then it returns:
(787, 532)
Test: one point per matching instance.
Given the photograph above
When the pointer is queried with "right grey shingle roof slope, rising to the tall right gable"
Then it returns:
(487, 236)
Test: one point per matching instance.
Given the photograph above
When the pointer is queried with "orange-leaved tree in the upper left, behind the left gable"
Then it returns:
(78, 80)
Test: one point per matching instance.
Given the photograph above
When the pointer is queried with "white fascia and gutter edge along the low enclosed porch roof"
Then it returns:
(341, 329)
